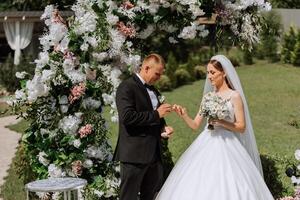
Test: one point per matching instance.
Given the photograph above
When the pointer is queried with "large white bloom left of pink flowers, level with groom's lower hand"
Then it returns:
(70, 124)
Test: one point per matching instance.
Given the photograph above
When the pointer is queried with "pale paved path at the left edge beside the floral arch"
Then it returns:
(8, 144)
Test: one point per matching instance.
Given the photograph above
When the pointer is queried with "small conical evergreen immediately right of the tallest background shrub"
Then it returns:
(289, 41)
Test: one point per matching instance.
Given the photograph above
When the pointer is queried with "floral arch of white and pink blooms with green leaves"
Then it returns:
(78, 71)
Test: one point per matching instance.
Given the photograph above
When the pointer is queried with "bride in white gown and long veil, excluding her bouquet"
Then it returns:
(223, 163)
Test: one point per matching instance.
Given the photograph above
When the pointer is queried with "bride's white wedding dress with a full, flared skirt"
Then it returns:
(215, 167)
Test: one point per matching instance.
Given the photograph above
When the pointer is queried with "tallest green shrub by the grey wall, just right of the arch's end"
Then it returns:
(270, 37)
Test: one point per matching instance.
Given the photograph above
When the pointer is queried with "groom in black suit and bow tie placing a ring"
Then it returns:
(141, 125)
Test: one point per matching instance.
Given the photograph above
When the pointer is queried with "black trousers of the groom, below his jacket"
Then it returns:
(145, 179)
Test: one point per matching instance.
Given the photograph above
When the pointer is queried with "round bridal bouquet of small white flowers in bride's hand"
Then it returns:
(213, 107)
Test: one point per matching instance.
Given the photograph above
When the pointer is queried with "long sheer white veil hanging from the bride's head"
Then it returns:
(247, 138)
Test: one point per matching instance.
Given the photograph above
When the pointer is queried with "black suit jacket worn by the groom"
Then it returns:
(139, 125)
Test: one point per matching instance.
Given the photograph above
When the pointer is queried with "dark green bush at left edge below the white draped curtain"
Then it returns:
(8, 72)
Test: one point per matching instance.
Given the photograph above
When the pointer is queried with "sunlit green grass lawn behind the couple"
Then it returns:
(273, 95)
